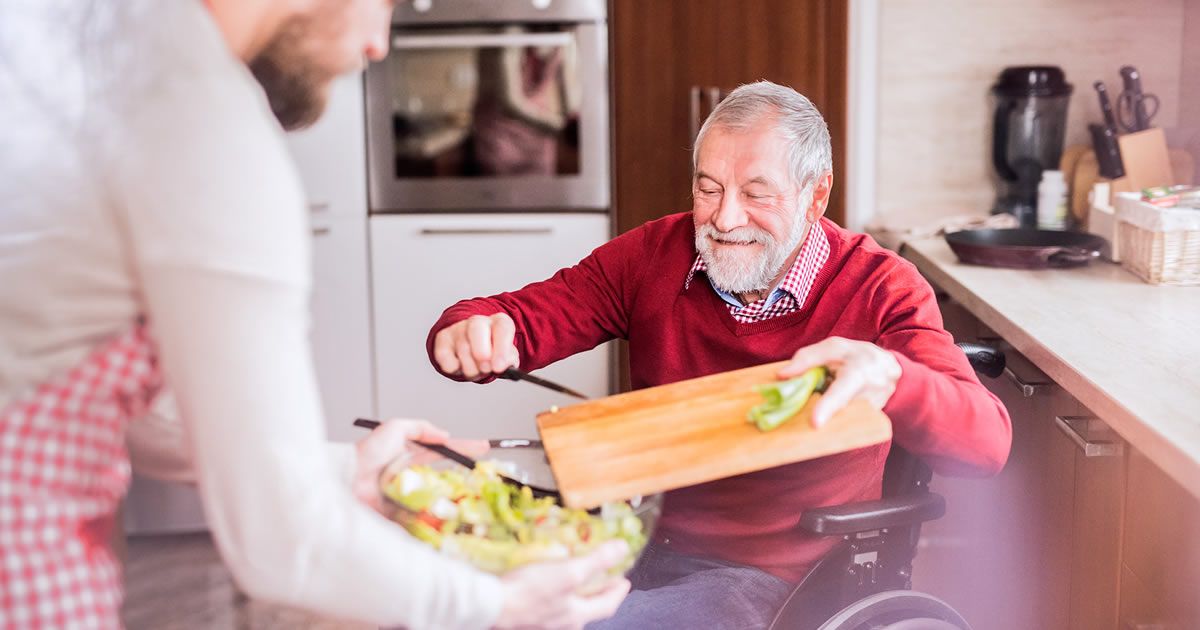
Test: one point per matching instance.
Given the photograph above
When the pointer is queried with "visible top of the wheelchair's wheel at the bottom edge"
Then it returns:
(898, 610)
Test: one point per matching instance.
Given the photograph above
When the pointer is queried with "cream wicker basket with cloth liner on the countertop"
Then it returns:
(1162, 247)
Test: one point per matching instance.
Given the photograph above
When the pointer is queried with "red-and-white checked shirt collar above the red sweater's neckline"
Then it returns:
(789, 297)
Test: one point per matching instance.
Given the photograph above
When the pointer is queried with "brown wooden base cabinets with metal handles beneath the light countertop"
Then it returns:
(1079, 532)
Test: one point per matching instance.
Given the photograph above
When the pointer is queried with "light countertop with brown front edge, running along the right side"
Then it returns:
(1129, 351)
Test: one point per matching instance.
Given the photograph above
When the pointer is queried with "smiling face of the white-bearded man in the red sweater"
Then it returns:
(749, 213)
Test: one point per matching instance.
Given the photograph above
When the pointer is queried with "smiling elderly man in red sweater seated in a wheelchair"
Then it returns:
(753, 275)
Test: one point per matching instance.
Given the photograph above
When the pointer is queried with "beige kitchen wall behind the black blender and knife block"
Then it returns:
(939, 58)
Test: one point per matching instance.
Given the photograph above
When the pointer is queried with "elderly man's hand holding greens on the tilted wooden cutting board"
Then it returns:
(863, 371)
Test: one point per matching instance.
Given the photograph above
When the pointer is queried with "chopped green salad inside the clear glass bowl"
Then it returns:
(476, 517)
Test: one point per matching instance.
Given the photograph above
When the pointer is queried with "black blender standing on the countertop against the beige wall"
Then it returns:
(1029, 127)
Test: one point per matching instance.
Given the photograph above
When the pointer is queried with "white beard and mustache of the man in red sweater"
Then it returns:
(742, 271)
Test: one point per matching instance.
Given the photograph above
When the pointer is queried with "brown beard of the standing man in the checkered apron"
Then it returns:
(296, 86)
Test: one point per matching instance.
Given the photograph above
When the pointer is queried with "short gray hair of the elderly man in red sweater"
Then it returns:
(796, 118)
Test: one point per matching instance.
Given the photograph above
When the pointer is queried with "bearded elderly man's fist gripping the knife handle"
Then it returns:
(477, 347)
